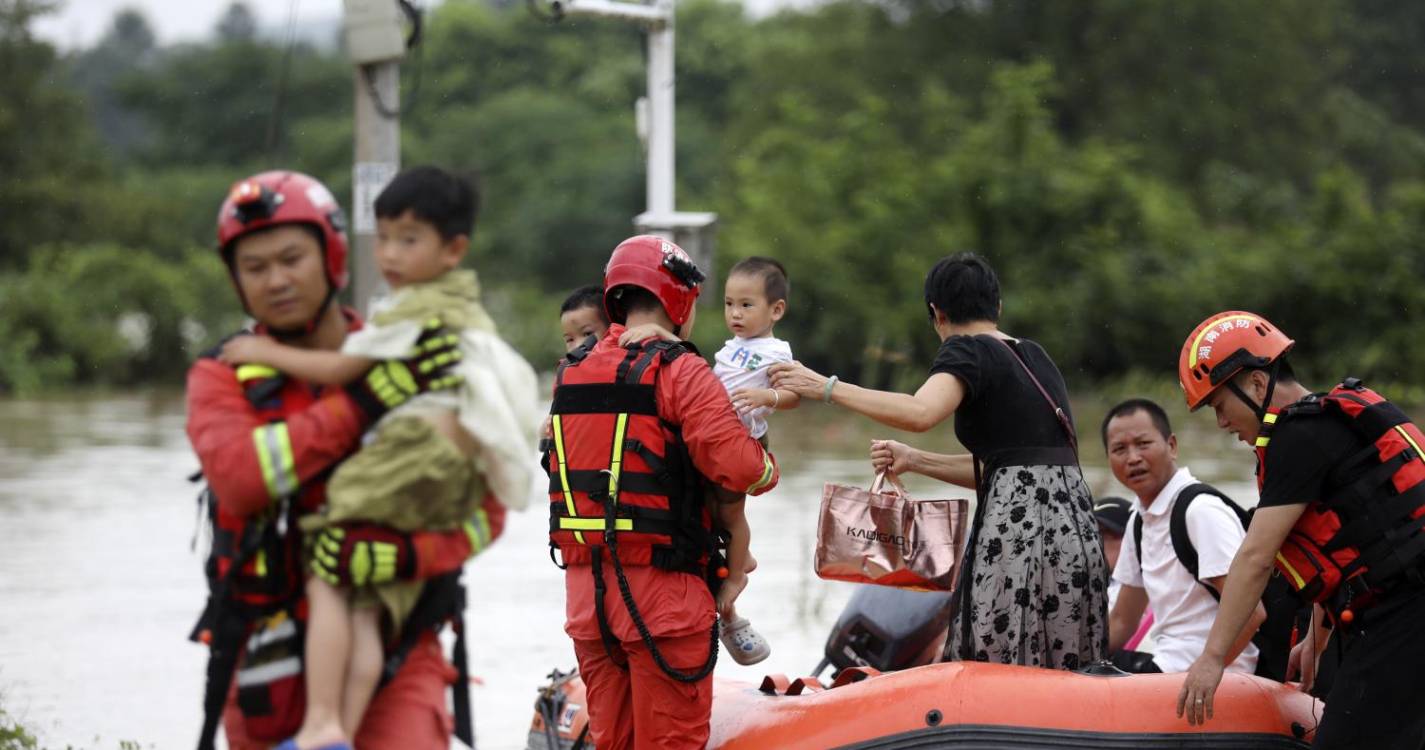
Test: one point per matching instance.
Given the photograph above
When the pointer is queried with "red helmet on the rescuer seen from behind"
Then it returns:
(658, 266)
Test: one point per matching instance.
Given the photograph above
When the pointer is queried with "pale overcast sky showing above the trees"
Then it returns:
(81, 22)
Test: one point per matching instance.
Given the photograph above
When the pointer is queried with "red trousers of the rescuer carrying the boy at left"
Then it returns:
(408, 714)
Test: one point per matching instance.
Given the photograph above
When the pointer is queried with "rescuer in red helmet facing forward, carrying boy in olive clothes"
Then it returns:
(267, 444)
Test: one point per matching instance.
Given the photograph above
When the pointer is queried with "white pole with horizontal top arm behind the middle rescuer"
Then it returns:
(693, 232)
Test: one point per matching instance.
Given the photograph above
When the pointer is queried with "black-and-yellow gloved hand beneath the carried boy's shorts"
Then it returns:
(363, 555)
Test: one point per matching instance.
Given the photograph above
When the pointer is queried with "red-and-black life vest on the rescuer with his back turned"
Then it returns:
(618, 468)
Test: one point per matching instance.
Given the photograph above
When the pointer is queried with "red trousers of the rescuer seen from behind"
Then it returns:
(645, 708)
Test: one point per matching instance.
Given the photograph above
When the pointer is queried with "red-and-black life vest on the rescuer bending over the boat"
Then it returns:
(1366, 535)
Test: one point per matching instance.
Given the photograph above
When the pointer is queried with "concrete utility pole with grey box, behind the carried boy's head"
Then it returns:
(375, 45)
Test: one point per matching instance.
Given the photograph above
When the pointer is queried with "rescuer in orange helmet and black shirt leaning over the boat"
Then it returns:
(1343, 508)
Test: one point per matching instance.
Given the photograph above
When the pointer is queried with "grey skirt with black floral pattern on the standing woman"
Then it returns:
(1035, 585)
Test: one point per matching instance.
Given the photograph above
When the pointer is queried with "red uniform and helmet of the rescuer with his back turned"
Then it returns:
(633, 702)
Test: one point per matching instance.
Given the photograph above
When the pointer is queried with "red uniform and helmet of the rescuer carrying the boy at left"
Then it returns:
(267, 446)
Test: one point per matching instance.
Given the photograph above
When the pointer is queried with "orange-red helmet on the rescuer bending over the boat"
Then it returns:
(1225, 346)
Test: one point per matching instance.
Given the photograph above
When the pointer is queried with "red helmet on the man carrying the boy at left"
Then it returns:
(286, 197)
